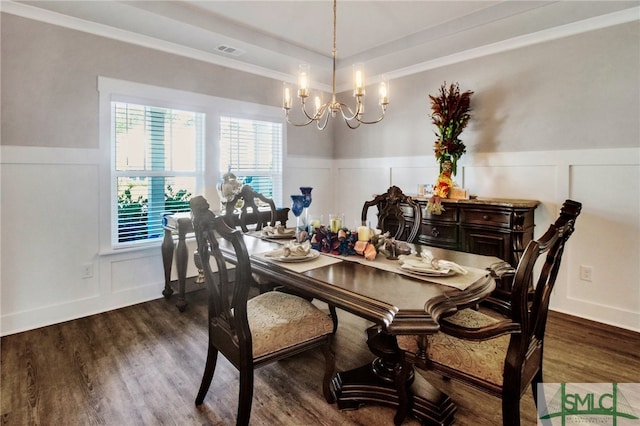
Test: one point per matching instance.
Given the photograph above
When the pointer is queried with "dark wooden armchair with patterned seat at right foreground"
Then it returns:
(502, 356)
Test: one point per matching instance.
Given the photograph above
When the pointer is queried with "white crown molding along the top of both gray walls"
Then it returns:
(54, 18)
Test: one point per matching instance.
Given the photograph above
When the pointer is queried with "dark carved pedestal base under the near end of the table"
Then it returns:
(391, 381)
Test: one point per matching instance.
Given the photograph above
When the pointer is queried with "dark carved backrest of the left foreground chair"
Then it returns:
(227, 296)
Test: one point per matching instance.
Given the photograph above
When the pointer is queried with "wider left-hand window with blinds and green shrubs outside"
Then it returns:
(156, 167)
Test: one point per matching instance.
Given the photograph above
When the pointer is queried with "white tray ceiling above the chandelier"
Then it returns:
(273, 37)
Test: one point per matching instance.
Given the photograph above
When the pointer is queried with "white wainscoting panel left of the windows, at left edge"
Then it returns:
(49, 232)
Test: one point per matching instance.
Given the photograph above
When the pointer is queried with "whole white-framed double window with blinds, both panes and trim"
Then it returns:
(160, 146)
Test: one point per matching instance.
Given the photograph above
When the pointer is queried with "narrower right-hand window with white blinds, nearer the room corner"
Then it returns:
(252, 150)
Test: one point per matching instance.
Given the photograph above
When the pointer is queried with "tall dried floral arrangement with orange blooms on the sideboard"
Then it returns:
(450, 113)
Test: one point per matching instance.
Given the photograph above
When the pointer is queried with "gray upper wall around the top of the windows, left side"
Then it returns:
(49, 78)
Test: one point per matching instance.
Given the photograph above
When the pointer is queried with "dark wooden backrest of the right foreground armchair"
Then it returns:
(526, 346)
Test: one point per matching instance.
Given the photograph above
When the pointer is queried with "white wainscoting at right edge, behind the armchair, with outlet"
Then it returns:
(607, 239)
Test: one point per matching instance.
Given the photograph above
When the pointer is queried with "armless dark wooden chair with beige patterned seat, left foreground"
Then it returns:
(251, 332)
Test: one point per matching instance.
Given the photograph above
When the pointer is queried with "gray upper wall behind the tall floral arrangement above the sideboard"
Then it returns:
(579, 92)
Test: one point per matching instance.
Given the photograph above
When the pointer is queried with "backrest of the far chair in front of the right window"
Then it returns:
(249, 214)
